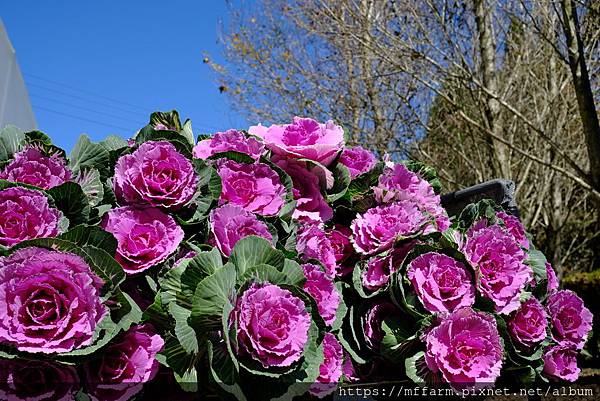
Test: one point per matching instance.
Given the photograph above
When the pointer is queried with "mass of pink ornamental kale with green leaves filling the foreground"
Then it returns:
(271, 263)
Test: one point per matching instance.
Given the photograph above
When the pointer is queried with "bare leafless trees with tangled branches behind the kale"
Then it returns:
(479, 89)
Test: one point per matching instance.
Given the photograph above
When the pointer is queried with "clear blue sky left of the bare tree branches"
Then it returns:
(101, 67)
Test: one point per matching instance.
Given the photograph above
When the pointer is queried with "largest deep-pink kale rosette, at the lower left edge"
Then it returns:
(49, 301)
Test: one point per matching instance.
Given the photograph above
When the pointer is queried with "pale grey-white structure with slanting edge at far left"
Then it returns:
(15, 108)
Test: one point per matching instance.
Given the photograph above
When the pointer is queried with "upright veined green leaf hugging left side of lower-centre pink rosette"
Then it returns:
(210, 297)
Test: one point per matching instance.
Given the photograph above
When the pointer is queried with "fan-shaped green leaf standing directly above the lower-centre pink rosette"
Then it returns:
(252, 251)
